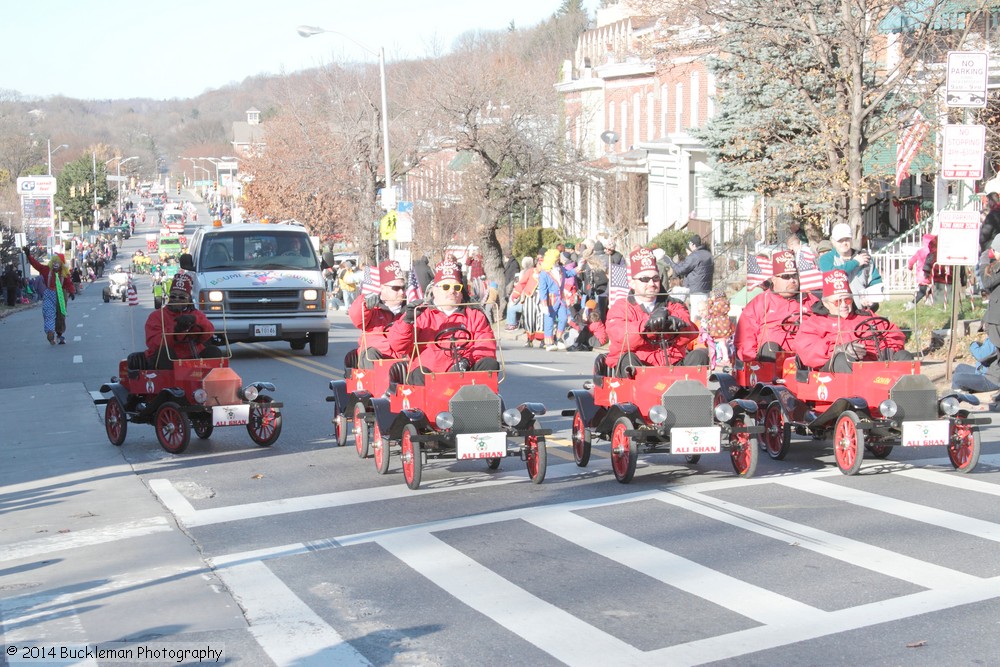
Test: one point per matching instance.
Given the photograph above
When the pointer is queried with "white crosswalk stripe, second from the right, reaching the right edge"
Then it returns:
(901, 508)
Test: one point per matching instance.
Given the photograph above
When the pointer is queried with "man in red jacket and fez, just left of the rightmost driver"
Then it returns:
(769, 321)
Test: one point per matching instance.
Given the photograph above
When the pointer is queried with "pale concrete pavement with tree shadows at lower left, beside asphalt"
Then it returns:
(87, 553)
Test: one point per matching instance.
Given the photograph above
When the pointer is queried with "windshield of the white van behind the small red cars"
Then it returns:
(257, 250)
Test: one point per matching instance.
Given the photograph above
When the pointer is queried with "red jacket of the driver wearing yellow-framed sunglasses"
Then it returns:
(432, 320)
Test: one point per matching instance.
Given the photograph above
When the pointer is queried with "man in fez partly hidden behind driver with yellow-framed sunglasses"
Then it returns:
(375, 313)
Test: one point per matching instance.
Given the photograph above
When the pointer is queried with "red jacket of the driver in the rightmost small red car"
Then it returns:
(821, 332)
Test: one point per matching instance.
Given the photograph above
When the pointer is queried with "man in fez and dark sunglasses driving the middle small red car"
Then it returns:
(637, 323)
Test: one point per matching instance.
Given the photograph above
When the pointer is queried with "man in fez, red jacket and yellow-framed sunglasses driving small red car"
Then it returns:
(417, 331)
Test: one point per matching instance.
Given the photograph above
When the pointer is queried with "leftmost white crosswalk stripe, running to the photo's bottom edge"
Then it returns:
(285, 627)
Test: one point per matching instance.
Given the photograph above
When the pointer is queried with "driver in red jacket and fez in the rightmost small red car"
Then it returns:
(831, 339)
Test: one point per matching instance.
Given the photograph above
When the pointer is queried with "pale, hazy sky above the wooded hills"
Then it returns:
(166, 49)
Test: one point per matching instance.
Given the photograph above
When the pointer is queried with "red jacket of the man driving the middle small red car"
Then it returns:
(624, 325)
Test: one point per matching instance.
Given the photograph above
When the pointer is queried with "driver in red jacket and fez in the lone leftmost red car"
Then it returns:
(178, 330)
